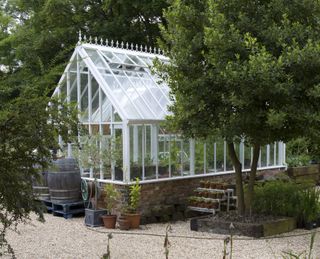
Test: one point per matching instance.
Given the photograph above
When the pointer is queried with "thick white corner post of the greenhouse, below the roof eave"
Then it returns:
(126, 152)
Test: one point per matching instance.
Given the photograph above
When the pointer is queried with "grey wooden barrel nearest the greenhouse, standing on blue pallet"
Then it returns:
(64, 181)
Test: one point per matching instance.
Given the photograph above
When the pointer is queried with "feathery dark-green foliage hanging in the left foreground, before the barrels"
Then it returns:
(29, 130)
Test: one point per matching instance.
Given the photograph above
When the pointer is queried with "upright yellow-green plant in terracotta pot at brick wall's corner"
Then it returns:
(131, 212)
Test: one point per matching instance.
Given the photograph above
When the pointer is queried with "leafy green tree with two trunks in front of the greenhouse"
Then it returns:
(249, 69)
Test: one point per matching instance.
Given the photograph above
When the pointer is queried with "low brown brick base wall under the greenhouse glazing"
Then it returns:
(167, 200)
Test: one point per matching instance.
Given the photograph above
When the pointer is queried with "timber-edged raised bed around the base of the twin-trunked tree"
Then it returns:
(255, 226)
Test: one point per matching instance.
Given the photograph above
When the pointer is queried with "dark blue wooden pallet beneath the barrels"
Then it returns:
(66, 210)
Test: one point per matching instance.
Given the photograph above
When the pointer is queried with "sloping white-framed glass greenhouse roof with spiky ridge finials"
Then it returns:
(123, 73)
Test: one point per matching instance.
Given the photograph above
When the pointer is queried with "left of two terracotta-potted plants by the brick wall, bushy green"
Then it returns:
(111, 198)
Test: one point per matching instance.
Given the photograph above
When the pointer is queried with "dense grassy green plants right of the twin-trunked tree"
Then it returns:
(287, 198)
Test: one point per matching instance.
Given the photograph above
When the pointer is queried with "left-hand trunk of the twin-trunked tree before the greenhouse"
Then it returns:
(239, 185)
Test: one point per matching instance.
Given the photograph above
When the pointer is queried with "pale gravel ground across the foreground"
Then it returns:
(60, 238)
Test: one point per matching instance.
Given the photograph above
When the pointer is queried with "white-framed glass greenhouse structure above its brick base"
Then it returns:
(122, 105)
